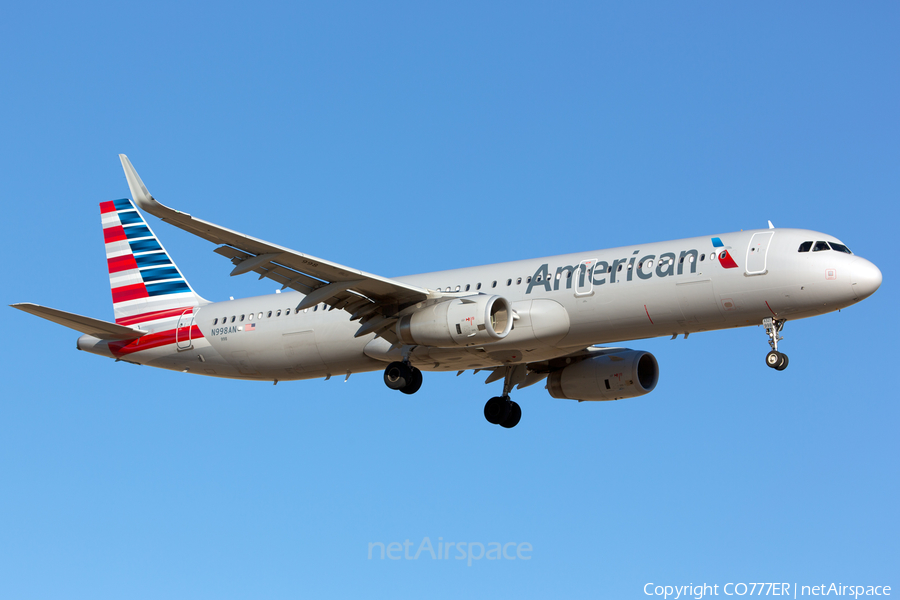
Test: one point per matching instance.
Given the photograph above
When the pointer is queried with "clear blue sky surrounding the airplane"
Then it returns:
(402, 138)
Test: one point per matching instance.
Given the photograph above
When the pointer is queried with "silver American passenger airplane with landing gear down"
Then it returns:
(525, 321)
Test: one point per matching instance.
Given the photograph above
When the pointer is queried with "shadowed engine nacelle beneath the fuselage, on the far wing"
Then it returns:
(612, 376)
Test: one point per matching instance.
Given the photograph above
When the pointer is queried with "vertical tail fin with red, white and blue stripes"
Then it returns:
(146, 284)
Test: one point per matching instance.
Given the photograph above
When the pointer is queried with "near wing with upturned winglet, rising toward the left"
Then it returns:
(375, 301)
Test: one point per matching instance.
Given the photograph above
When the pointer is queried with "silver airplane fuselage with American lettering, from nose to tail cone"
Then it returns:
(563, 303)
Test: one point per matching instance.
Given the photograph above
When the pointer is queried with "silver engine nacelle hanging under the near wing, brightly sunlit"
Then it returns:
(469, 321)
